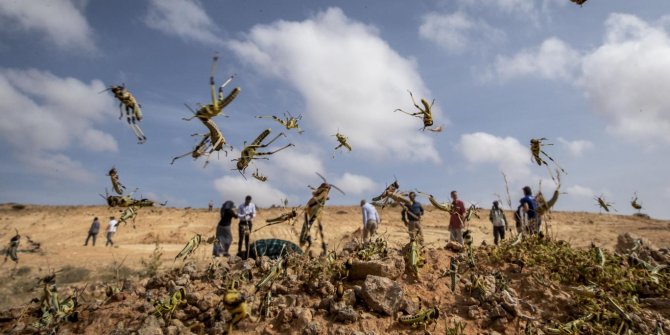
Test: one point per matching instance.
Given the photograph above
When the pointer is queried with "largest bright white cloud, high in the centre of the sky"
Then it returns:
(350, 78)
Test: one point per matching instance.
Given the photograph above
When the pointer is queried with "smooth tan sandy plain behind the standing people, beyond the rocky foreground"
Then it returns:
(62, 230)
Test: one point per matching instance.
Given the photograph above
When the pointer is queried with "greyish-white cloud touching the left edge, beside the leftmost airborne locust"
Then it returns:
(44, 112)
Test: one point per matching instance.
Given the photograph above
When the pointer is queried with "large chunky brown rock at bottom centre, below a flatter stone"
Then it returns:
(382, 294)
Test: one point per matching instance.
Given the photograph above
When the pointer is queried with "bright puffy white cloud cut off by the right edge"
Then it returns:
(627, 79)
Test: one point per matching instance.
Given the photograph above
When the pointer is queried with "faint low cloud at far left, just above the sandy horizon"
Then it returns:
(55, 166)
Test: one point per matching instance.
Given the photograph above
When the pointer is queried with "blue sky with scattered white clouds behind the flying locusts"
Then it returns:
(591, 79)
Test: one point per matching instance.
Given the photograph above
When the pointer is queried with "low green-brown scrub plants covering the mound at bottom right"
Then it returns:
(604, 287)
